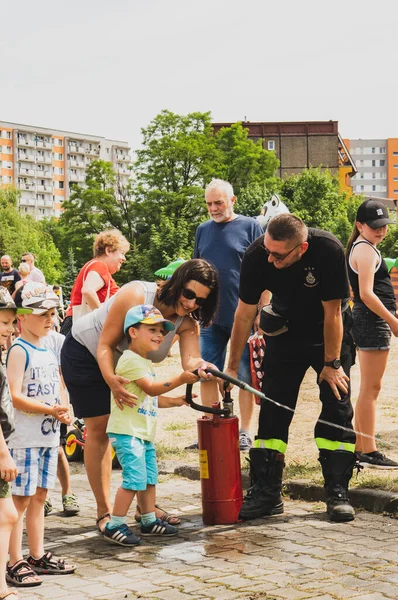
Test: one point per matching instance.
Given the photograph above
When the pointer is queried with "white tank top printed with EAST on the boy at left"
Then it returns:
(41, 383)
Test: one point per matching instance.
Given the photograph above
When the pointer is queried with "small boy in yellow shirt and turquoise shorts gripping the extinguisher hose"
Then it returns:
(132, 430)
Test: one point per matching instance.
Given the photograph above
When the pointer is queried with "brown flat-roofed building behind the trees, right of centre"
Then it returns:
(299, 145)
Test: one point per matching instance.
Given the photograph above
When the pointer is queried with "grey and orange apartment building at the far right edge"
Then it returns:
(377, 164)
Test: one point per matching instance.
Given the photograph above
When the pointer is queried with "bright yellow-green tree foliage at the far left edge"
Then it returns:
(20, 233)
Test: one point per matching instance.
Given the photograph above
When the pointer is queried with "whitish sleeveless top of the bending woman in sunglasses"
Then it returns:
(87, 329)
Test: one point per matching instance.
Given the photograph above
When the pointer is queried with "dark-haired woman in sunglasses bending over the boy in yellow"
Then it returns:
(96, 341)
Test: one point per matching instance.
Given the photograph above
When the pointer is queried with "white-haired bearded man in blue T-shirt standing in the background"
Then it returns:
(223, 240)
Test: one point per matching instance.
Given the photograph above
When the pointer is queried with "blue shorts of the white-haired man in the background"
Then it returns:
(213, 348)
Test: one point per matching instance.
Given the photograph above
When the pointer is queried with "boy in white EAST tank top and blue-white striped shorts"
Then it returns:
(34, 378)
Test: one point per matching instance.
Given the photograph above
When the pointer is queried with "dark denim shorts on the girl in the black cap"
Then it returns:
(370, 332)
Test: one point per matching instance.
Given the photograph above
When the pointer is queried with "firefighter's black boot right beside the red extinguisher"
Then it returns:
(264, 498)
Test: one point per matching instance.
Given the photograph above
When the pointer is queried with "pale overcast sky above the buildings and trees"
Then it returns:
(108, 68)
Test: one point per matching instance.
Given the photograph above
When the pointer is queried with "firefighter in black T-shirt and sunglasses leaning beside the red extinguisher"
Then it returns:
(305, 271)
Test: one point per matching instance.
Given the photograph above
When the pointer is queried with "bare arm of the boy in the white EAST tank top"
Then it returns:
(15, 375)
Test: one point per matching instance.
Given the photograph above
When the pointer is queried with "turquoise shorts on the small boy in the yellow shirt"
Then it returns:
(138, 461)
